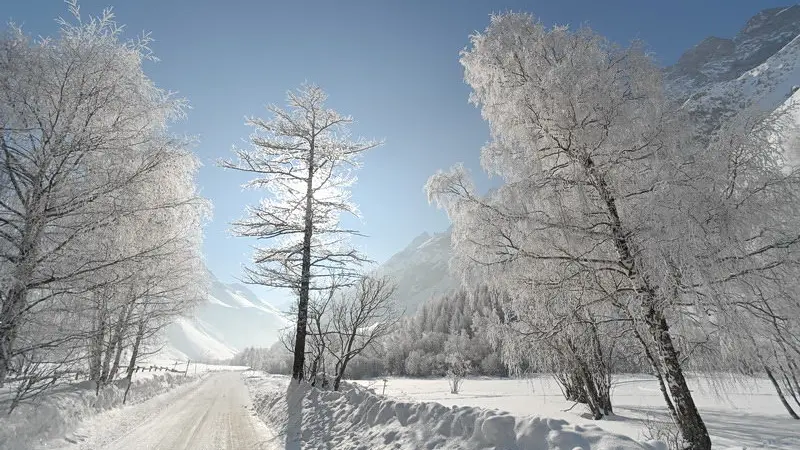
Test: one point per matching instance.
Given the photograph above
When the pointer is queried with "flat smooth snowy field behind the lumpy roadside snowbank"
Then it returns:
(742, 414)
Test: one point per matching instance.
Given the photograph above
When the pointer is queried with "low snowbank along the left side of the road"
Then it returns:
(58, 412)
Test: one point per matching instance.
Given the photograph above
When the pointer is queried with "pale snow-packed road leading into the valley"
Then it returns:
(215, 413)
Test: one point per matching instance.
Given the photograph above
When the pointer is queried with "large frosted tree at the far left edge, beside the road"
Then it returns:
(80, 122)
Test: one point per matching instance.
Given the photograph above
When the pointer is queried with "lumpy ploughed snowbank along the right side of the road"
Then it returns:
(357, 418)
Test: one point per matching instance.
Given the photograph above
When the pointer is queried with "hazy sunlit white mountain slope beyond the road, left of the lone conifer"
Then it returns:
(232, 318)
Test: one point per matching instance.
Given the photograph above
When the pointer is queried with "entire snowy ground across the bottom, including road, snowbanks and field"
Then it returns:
(213, 410)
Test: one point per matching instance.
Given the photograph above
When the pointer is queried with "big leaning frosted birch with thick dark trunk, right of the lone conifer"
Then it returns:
(586, 145)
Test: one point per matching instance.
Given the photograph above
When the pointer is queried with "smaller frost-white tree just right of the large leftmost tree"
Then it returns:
(144, 295)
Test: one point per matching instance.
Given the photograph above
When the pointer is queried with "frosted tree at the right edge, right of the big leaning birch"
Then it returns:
(744, 292)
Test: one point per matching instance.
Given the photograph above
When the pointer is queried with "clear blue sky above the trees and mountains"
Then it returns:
(392, 65)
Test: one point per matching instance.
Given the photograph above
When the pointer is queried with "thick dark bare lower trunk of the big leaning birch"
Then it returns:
(691, 425)
